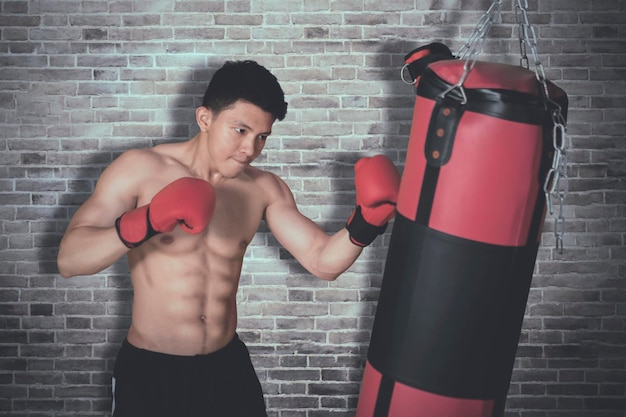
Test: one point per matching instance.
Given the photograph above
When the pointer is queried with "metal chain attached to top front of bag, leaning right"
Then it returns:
(474, 46)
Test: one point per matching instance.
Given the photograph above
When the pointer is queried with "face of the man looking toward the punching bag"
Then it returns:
(236, 136)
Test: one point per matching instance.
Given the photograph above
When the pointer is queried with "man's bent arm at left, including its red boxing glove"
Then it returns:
(109, 223)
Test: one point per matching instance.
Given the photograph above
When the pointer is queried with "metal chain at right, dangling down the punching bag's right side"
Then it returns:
(556, 185)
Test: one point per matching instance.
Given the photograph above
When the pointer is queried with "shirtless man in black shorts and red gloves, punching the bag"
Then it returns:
(184, 214)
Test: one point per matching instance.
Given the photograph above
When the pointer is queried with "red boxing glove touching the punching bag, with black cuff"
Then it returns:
(377, 183)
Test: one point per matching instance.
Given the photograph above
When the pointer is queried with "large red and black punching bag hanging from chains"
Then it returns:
(464, 241)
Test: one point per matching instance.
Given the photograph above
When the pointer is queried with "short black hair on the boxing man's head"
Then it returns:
(248, 81)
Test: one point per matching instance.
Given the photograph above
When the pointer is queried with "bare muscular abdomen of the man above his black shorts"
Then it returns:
(184, 295)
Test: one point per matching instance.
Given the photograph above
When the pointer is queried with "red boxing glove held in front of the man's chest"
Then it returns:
(187, 201)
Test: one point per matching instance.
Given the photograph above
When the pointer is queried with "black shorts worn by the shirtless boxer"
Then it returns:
(220, 384)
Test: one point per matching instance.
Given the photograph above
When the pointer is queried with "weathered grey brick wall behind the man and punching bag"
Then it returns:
(81, 81)
